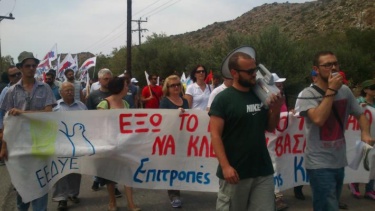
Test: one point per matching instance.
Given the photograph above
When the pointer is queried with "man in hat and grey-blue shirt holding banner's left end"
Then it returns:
(27, 96)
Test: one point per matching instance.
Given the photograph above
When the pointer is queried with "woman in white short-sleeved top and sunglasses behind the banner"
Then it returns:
(197, 94)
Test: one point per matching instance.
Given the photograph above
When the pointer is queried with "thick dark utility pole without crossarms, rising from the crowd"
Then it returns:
(129, 39)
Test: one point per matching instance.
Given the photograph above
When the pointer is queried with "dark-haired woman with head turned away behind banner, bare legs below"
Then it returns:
(118, 88)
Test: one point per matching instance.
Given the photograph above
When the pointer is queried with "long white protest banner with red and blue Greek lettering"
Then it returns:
(148, 148)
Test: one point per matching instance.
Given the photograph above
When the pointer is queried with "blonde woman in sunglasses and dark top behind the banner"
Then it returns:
(172, 100)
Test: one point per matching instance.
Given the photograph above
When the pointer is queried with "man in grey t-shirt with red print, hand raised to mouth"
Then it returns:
(326, 106)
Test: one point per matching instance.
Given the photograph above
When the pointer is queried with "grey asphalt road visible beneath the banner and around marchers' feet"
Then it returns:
(153, 200)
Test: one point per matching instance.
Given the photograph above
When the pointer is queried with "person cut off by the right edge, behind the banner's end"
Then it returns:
(367, 98)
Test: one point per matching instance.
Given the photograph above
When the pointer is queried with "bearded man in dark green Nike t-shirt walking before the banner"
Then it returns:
(238, 121)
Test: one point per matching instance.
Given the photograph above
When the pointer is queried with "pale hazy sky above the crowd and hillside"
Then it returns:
(99, 26)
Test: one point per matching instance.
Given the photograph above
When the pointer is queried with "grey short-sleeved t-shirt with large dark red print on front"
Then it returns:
(326, 145)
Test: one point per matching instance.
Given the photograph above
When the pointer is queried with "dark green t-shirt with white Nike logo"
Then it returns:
(245, 121)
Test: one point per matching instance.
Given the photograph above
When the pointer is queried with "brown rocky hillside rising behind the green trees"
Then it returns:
(298, 20)
